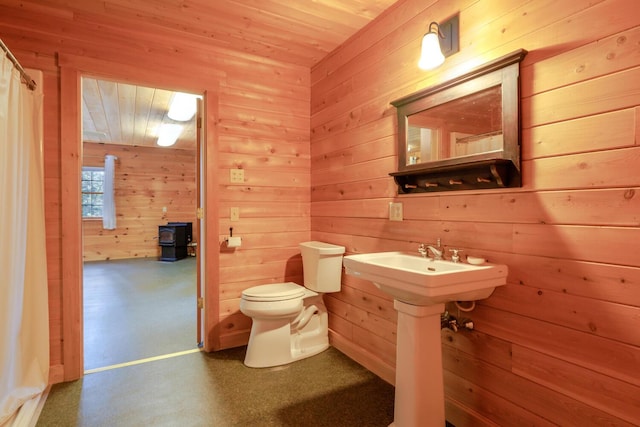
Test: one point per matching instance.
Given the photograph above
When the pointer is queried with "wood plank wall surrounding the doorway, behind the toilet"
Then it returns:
(262, 127)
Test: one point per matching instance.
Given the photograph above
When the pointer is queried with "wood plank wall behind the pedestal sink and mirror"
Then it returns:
(560, 344)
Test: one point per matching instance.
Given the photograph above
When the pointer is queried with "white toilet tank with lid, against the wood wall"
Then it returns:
(322, 266)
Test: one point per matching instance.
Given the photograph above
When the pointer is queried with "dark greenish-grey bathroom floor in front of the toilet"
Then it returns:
(216, 389)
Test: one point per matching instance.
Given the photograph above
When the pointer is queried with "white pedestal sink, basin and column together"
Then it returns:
(420, 287)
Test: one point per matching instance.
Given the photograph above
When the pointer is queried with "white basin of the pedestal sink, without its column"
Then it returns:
(415, 280)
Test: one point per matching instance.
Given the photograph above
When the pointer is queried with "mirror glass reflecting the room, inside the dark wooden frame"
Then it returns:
(462, 127)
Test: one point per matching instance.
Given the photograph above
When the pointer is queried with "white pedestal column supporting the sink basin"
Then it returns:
(419, 399)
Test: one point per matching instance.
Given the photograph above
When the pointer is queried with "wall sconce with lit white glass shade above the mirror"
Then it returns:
(441, 41)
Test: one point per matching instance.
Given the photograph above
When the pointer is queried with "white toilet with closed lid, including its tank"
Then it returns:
(290, 321)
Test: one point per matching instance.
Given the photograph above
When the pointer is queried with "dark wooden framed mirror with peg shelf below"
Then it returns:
(462, 134)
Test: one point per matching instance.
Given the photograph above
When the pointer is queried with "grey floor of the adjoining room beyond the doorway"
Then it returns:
(138, 308)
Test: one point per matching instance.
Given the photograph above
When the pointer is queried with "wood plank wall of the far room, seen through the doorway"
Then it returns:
(146, 180)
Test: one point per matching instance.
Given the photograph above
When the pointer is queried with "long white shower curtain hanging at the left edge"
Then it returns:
(24, 318)
